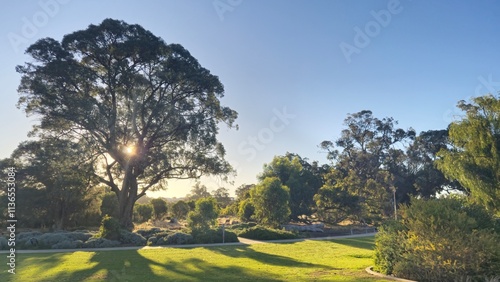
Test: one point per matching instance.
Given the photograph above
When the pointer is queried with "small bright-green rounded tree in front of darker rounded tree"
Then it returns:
(271, 201)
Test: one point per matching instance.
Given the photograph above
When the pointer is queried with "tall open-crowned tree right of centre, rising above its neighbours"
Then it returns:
(366, 165)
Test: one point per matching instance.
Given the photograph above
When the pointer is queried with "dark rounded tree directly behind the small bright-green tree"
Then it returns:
(302, 178)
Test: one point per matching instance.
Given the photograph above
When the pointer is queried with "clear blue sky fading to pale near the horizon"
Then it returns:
(316, 61)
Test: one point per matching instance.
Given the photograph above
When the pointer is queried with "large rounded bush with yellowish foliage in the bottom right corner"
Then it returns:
(444, 239)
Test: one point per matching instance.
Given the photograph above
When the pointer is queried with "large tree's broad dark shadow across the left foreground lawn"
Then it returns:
(132, 266)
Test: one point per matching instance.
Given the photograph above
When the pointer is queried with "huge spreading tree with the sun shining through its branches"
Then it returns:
(147, 111)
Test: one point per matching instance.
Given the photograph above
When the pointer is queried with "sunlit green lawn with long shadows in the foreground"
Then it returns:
(336, 260)
